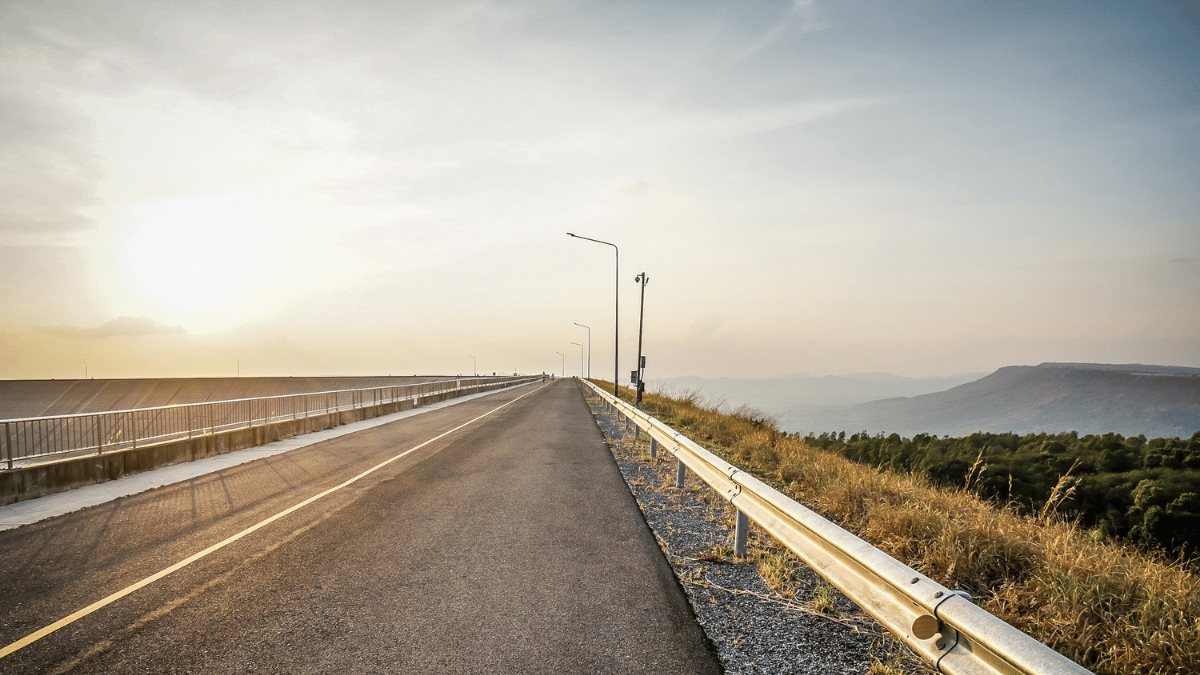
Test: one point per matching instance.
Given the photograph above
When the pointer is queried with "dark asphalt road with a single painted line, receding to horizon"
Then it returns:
(505, 543)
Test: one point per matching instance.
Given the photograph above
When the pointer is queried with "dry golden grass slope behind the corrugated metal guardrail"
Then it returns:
(1114, 608)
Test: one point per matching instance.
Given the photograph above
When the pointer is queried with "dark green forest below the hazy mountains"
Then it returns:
(1147, 493)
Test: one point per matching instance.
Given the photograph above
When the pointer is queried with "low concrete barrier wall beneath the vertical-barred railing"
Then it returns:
(29, 482)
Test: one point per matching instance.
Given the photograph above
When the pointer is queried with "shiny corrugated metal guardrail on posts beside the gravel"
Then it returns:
(943, 626)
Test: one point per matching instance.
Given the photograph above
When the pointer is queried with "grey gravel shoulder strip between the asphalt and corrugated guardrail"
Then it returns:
(767, 613)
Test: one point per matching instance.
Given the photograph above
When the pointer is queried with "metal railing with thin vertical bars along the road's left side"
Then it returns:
(117, 431)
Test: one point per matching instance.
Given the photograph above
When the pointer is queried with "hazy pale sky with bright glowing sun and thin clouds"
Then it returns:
(386, 188)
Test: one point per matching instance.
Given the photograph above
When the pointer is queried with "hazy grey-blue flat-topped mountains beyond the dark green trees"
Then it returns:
(1053, 397)
